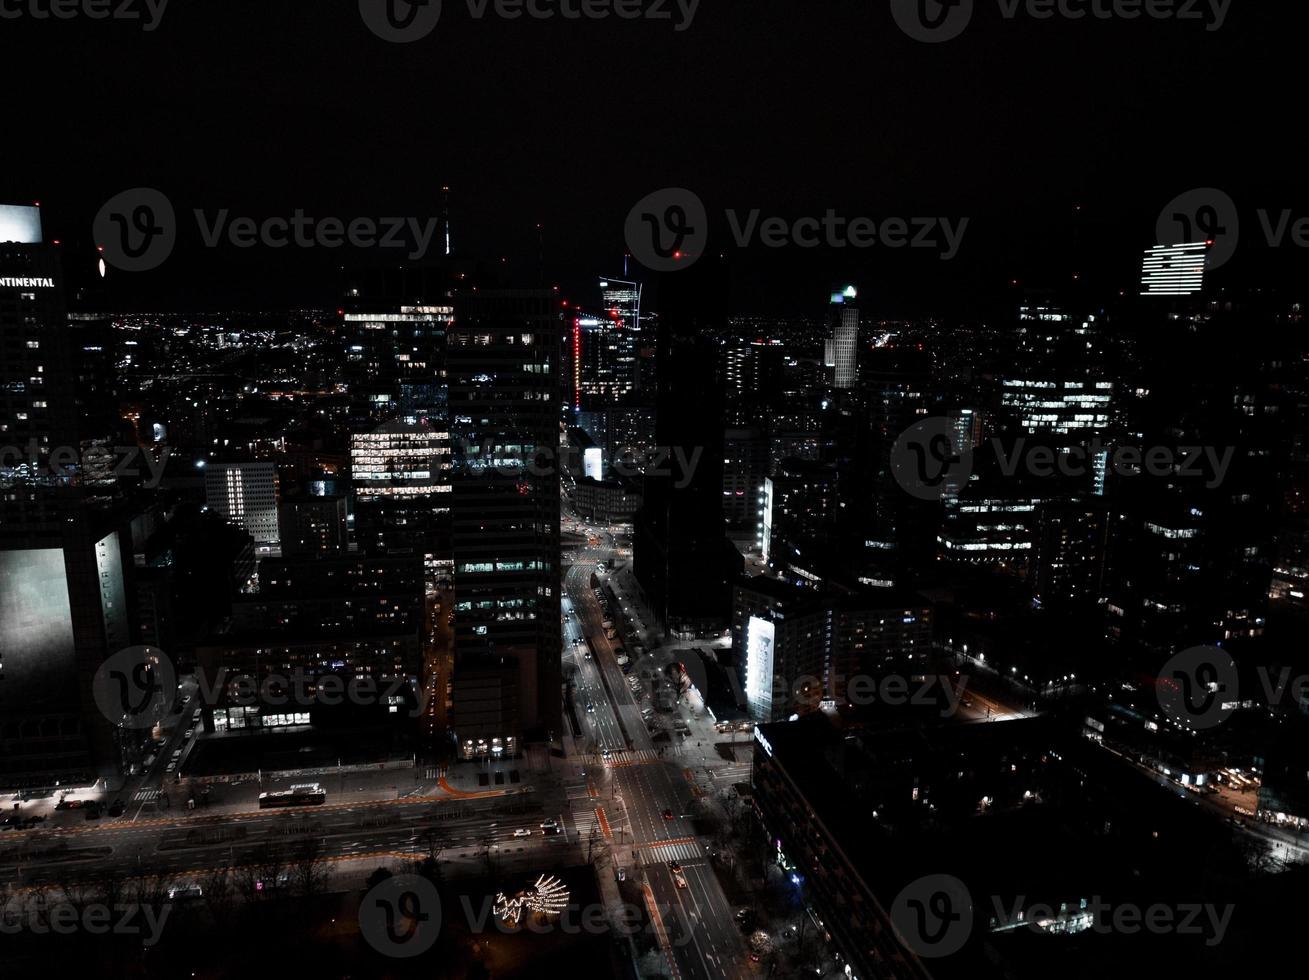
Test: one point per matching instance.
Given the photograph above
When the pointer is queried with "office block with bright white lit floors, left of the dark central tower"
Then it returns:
(401, 480)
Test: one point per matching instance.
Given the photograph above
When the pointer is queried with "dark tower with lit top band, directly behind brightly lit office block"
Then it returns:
(396, 364)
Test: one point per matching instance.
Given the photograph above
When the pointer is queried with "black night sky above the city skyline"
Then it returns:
(265, 108)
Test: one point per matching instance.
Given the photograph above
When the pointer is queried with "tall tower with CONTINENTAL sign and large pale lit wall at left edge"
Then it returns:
(62, 571)
